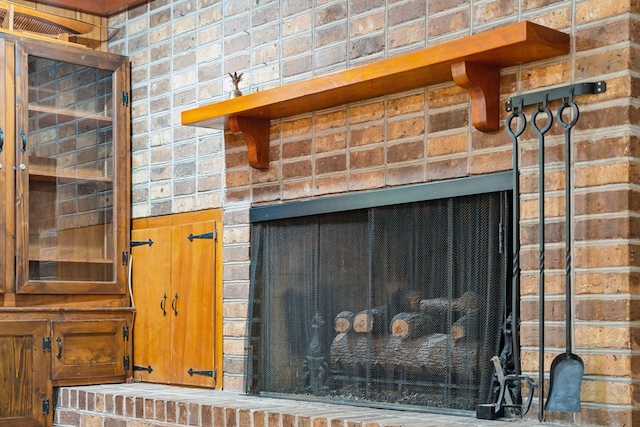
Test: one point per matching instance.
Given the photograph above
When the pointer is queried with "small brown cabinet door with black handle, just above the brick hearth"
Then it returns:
(91, 351)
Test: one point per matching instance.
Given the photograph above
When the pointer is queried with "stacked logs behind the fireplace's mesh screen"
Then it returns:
(415, 341)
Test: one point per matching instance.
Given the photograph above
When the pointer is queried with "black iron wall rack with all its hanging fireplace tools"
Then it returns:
(541, 120)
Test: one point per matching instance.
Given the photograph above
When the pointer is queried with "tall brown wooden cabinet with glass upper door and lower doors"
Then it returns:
(65, 310)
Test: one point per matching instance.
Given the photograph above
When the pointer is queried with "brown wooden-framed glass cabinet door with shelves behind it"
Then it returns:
(67, 167)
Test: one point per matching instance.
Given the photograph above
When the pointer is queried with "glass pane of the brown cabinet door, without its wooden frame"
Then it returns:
(70, 163)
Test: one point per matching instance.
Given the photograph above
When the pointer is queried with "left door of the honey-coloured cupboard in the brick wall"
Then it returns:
(151, 282)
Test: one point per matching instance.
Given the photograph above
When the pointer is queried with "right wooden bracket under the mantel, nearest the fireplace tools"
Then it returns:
(483, 85)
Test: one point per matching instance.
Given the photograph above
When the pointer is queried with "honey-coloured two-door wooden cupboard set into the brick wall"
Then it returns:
(176, 335)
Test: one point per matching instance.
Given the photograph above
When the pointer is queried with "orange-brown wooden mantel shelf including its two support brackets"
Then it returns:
(473, 63)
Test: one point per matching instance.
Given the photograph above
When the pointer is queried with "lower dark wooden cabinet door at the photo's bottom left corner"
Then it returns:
(25, 389)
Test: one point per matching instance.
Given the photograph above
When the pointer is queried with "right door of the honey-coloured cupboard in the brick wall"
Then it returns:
(192, 329)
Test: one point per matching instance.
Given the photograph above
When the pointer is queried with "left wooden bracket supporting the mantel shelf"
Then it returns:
(256, 135)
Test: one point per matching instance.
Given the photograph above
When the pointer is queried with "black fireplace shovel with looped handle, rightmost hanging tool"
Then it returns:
(567, 369)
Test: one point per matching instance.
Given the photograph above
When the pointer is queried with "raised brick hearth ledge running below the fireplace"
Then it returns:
(150, 405)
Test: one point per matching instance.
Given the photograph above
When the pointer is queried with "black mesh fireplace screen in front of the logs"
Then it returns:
(394, 305)
